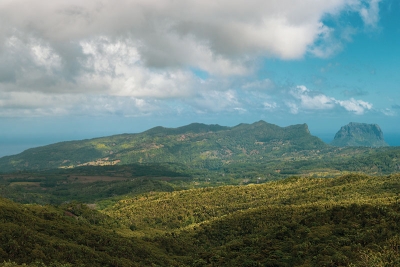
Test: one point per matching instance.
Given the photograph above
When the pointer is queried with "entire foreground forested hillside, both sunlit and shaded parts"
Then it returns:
(352, 220)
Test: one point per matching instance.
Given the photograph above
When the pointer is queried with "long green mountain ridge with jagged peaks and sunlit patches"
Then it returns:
(196, 145)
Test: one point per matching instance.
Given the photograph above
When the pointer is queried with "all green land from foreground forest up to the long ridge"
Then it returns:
(201, 195)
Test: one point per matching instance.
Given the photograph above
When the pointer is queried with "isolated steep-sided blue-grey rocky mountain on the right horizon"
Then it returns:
(359, 134)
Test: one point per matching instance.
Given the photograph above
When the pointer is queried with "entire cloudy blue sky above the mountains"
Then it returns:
(81, 69)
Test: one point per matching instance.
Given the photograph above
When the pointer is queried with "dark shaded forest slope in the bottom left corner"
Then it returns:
(35, 233)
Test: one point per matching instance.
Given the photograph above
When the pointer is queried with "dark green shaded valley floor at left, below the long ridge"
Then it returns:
(103, 185)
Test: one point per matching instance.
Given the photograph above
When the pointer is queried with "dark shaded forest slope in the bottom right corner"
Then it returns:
(355, 235)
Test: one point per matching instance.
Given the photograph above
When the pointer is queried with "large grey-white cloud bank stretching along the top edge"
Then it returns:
(208, 35)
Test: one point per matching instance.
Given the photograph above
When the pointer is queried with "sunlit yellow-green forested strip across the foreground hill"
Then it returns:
(188, 205)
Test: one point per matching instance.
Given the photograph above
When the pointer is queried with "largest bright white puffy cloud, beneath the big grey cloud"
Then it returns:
(118, 67)
